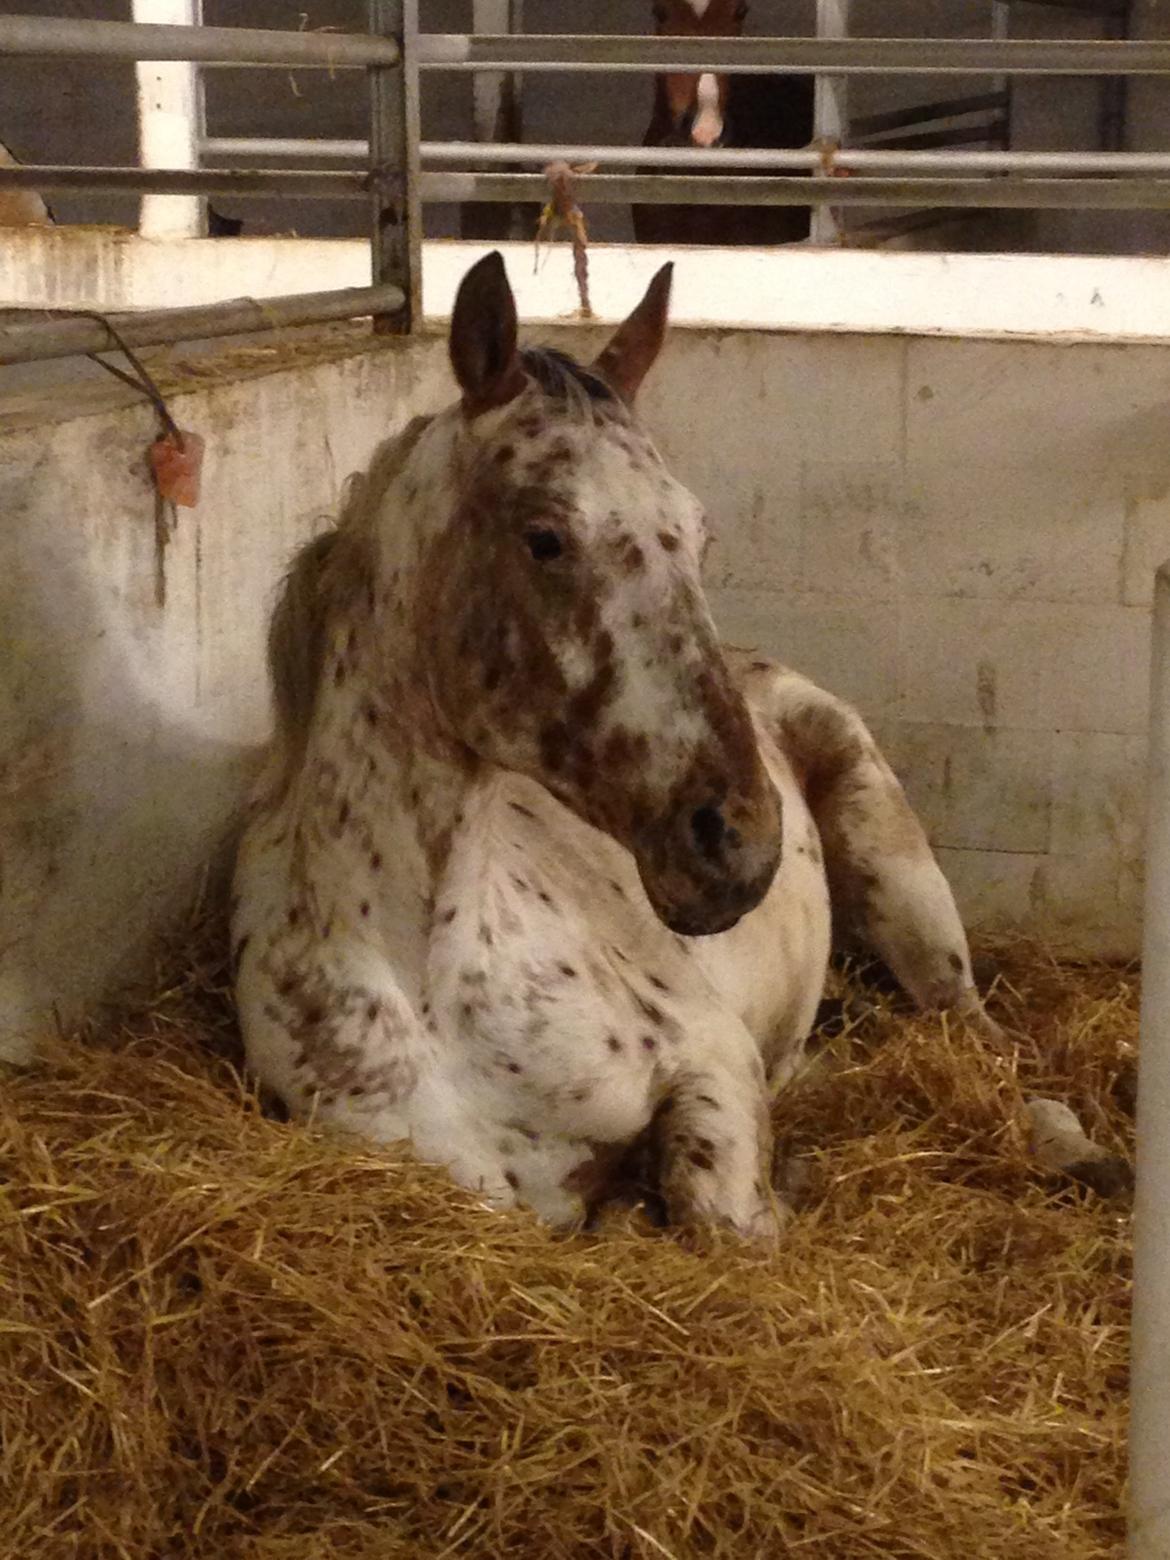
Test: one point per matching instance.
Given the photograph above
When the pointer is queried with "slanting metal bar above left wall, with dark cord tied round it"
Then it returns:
(71, 338)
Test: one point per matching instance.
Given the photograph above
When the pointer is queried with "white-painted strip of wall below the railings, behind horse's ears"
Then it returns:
(1115, 299)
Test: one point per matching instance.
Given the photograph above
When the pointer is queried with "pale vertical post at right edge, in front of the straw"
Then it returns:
(1150, 1391)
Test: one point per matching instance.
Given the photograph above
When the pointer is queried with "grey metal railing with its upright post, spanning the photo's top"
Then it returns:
(400, 172)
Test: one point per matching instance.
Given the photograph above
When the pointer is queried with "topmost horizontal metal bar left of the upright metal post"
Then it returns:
(71, 38)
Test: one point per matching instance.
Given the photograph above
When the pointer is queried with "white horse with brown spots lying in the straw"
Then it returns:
(541, 871)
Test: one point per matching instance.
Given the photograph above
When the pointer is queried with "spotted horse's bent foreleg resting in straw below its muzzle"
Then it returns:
(714, 1147)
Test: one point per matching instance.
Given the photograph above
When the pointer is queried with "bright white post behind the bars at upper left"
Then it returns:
(171, 124)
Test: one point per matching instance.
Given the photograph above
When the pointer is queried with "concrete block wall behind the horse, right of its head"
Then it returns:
(960, 537)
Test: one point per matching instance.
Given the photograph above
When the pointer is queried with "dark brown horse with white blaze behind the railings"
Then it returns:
(771, 112)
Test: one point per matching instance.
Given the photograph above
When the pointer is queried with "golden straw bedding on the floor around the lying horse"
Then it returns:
(225, 1336)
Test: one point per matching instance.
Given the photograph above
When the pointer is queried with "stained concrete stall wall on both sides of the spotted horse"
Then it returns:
(957, 536)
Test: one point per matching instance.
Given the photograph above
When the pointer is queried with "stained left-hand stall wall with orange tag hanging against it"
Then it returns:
(133, 690)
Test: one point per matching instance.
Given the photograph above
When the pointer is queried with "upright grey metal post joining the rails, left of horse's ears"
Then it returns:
(397, 216)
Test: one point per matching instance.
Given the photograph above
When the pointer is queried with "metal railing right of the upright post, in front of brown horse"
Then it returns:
(913, 172)
